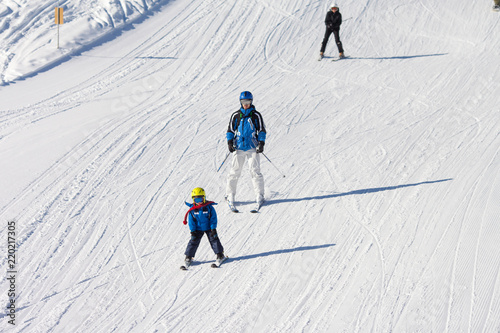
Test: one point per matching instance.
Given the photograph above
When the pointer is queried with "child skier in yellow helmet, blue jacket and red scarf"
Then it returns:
(202, 219)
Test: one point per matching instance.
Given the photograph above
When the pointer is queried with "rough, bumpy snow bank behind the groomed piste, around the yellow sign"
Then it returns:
(29, 35)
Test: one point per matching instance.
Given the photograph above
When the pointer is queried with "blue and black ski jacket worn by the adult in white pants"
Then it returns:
(246, 129)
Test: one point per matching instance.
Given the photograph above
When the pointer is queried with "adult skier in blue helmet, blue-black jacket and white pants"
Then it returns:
(246, 136)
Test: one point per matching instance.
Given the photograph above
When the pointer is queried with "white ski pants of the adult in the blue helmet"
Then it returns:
(237, 164)
